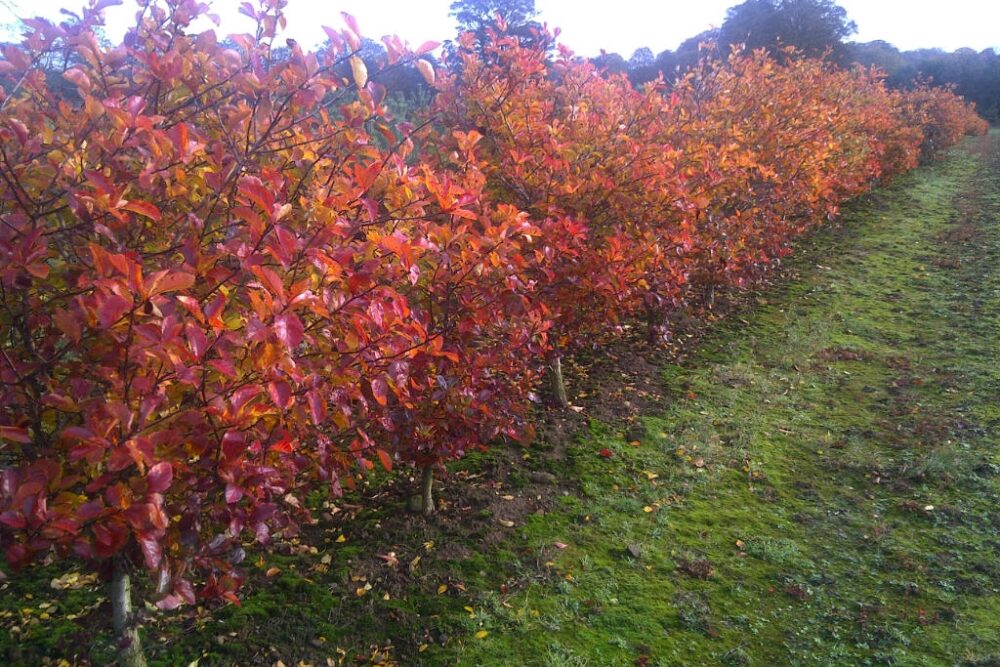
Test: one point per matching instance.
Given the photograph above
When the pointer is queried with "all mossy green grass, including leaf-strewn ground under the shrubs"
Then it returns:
(822, 489)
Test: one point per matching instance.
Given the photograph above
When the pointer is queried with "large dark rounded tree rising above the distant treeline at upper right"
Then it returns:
(812, 26)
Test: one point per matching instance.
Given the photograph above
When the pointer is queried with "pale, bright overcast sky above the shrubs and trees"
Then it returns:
(587, 27)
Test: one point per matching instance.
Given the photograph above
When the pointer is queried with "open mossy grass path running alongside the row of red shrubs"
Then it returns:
(825, 489)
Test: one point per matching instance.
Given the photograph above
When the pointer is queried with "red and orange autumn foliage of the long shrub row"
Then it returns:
(228, 278)
